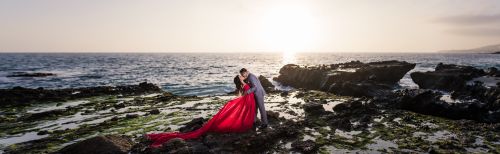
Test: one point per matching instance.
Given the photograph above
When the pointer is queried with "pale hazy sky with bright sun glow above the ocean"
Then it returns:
(247, 26)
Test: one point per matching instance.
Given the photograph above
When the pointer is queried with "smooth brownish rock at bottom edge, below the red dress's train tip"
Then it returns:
(100, 145)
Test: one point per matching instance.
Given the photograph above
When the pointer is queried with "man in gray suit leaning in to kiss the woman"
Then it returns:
(258, 90)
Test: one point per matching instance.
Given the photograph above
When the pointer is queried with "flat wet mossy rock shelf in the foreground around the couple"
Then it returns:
(366, 125)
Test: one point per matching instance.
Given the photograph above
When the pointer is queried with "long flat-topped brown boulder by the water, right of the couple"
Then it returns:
(353, 78)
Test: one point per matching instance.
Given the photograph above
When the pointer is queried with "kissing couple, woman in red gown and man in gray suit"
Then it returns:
(237, 115)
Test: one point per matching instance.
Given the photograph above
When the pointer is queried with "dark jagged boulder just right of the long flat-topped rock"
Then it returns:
(447, 77)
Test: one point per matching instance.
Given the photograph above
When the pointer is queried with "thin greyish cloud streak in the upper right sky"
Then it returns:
(471, 19)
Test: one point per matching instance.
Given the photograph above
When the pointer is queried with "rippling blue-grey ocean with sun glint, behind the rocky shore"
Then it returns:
(198, 74)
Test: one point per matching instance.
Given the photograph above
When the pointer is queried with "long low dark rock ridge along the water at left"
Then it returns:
(22, 96)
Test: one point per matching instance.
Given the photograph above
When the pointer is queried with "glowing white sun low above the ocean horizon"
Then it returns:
(288, 28)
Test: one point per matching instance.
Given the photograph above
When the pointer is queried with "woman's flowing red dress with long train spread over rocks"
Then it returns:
(236, 116)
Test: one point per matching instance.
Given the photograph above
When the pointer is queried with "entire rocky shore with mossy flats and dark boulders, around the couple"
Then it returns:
(338, 108)
